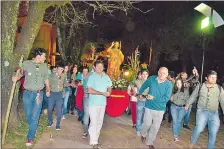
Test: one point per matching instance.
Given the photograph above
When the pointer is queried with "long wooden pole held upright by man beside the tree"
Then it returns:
(10, 105)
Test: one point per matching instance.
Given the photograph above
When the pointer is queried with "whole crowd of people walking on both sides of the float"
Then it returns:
(84, 94)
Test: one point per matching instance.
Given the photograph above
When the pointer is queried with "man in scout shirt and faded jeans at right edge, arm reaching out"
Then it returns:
(209, 94)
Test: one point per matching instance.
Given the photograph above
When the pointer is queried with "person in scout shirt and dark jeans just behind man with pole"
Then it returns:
(57, 82)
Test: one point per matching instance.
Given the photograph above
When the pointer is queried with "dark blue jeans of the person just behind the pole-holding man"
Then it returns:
(55, 99)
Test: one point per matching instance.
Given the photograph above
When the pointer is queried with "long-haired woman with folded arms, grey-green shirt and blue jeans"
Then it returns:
(178, 100)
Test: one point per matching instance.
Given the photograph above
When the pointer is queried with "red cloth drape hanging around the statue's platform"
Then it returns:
(117, 103)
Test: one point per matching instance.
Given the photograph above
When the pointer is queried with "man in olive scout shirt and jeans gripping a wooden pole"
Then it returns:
(36, 77)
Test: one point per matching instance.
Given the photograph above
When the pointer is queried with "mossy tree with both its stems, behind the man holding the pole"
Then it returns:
(9, 56)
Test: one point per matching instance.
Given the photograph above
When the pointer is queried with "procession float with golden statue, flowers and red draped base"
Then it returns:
(118, 102)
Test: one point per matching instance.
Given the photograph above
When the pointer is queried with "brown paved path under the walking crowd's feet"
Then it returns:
(118, 133)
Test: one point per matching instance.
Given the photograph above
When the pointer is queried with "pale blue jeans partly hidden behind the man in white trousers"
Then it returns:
(86, 114)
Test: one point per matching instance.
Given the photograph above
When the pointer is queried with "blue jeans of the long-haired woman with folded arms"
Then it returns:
(178, 114)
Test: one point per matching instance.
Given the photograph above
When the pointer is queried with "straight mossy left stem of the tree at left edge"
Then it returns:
(9, 26)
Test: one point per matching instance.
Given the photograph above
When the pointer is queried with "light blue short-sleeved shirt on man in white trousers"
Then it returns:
(101, 84)
